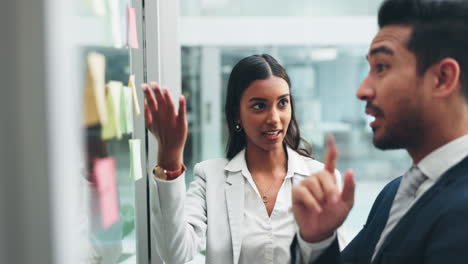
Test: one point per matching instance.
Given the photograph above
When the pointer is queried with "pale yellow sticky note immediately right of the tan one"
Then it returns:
(113, 128)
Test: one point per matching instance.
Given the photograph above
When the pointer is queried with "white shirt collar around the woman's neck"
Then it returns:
(296, 164)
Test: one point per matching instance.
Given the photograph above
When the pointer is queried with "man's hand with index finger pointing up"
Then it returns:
(318, 205)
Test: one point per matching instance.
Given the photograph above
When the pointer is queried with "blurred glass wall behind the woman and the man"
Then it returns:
(324, 78)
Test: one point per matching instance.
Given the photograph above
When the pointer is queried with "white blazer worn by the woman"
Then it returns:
(211, 211)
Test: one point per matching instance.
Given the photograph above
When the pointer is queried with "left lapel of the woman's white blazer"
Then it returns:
(234, 189)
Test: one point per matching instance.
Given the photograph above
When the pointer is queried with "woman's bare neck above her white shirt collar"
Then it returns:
(262, 161)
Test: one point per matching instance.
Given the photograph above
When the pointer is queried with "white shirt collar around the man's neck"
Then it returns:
(442, 159)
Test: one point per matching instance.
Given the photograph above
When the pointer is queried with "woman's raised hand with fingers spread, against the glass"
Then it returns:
(169, 127)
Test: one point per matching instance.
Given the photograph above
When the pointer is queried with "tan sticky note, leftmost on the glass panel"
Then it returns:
(95, 111)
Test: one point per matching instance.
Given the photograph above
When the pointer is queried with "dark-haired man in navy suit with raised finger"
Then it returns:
(417, 90)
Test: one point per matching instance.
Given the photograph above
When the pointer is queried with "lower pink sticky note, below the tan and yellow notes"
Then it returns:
(104, 175)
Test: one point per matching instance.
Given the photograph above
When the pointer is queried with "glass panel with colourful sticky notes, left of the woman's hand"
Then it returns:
(109, 184)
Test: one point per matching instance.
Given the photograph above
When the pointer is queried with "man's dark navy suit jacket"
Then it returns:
(434, 230)
